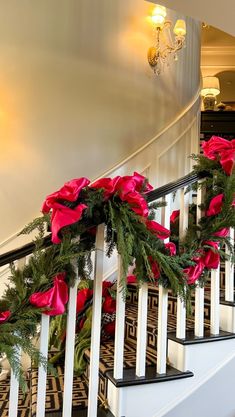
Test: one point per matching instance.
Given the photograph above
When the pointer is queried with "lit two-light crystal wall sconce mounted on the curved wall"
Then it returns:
(165, 47)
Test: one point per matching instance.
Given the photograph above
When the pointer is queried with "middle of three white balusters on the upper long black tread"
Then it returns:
(199, 291)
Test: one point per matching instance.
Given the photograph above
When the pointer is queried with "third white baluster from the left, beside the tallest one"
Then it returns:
(69, 350)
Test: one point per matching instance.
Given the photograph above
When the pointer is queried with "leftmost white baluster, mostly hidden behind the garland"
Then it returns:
(14, 384)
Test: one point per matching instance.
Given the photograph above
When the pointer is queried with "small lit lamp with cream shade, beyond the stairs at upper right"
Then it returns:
(210, 89)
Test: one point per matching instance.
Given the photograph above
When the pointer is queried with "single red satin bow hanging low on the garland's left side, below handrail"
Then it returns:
(54, 299)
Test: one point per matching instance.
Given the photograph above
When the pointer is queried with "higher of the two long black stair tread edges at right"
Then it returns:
(191, 339)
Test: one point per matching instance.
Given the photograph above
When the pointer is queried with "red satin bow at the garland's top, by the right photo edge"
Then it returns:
(223, 149)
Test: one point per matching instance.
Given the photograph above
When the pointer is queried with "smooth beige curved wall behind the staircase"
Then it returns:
(77, 95)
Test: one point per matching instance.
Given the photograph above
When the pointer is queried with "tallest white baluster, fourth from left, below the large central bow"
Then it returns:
(96, 324)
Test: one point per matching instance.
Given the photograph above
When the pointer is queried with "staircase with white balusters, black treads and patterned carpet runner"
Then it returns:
(157, 359)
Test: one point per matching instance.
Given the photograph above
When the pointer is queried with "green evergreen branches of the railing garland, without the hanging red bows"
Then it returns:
(127, 231)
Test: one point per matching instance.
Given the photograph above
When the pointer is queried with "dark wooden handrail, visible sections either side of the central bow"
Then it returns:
(160, 192)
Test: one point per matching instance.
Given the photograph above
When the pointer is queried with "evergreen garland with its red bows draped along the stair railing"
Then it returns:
(73, 214)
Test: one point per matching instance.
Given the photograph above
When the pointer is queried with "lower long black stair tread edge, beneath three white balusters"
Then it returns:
(130, 378)
